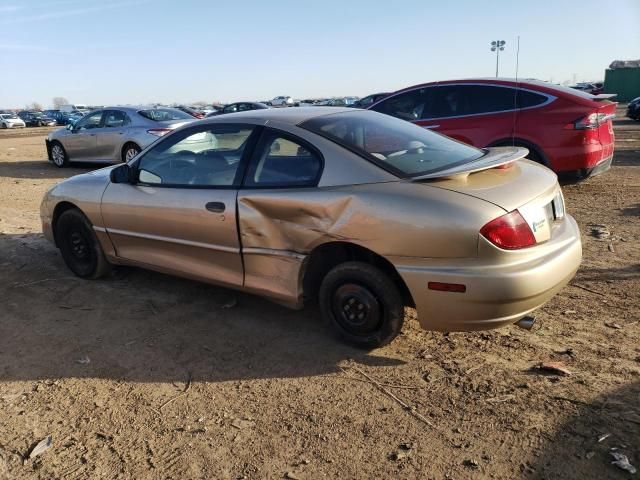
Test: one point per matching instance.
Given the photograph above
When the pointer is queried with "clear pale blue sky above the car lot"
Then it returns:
(141, 51)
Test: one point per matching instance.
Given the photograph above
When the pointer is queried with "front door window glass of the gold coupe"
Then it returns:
(205, 157)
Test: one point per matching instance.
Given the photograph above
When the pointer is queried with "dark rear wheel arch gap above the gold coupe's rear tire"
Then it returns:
(325, 257)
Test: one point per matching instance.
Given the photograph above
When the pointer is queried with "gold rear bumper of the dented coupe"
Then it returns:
(498, 291)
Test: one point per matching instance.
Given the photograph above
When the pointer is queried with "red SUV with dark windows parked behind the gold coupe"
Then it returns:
(567, 130)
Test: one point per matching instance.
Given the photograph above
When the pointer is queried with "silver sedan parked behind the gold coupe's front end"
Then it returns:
(112, 134)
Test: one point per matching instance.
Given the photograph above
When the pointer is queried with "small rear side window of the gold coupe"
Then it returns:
(283, 161)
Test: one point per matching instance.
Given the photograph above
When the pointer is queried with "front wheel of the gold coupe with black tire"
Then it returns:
(79, 246)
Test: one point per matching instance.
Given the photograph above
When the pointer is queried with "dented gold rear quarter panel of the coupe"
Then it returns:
(278, 228)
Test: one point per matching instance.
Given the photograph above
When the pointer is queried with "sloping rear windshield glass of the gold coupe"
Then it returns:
(398, 146)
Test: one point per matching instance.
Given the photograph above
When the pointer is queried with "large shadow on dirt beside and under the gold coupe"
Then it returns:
(143, 326)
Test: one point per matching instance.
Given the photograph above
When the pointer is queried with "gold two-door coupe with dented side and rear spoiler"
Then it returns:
(362, 212)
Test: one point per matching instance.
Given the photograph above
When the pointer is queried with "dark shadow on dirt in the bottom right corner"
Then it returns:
(582, 447)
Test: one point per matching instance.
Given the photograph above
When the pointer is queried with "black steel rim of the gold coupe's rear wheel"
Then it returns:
(356, 309)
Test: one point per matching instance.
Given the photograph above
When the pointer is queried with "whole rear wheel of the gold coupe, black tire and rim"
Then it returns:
(362, 304)
